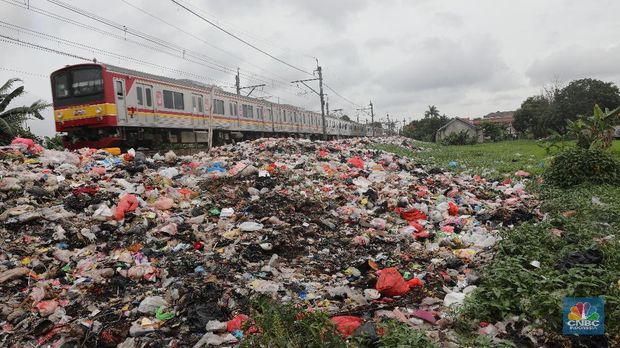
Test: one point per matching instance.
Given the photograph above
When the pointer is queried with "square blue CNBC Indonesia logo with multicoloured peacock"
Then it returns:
(583, 316)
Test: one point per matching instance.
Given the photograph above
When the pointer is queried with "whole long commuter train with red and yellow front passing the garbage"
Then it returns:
(100, 105)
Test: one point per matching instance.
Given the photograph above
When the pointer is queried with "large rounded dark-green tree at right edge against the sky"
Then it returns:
(578, 99)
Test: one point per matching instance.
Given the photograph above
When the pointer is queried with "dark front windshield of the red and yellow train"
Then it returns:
(81, 85)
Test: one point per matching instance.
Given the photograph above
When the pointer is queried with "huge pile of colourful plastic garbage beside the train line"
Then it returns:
(123, 250)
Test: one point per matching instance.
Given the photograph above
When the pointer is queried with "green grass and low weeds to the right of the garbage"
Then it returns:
(583, 219)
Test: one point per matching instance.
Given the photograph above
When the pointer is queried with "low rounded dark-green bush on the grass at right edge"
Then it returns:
(578, 165)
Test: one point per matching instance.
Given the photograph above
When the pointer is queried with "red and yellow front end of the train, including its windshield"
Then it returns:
(84, 106)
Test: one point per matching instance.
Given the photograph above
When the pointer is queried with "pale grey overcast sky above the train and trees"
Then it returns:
(468, 58)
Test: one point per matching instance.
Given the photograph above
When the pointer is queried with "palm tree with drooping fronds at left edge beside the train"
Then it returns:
(11, 120)
